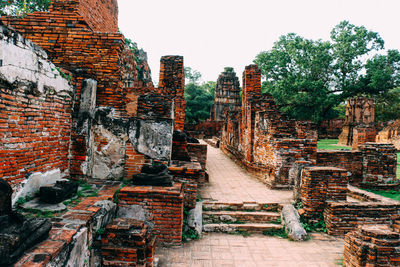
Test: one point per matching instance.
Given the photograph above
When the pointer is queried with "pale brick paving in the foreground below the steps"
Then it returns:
(223, 250)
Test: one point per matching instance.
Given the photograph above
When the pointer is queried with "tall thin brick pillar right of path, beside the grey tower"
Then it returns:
(251, 93)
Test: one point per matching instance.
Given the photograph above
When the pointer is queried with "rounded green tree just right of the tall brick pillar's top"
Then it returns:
(298, 72)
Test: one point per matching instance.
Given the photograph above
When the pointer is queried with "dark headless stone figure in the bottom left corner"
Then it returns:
(16, 232)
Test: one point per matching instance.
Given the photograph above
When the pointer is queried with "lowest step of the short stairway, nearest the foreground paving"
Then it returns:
(238, 228)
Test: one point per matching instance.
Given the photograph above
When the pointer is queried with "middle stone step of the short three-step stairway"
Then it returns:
(240, 216)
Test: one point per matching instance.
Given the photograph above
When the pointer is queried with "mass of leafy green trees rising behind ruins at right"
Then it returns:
(310, 79)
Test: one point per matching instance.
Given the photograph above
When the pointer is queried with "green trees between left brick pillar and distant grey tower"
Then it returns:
(199, 97)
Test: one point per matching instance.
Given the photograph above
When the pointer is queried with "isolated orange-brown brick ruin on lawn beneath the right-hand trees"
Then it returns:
(359, 126)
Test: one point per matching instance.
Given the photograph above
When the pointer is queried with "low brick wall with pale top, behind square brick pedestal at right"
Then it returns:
(351, 160)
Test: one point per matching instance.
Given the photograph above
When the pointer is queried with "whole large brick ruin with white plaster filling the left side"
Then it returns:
(76, 103)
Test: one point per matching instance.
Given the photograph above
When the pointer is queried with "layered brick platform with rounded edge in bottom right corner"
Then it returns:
(372, 245)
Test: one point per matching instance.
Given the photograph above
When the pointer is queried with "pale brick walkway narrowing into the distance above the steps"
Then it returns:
(230, 183)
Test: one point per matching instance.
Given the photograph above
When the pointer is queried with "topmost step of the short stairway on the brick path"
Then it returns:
(243, 206)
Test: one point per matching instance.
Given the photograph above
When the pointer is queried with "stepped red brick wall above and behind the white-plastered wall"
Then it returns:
(75, 47)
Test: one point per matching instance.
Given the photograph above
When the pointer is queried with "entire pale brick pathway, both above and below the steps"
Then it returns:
(229, 183)
